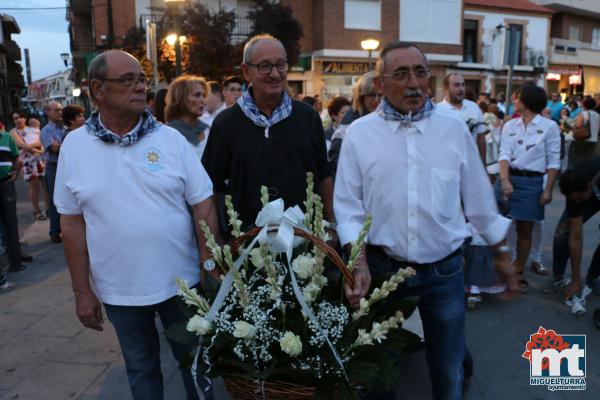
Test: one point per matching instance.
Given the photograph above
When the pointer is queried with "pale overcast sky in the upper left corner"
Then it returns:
(43, 32)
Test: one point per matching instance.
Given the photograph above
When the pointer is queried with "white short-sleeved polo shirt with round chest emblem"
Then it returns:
(139, 232)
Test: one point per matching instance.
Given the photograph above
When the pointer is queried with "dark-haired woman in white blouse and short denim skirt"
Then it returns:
(529, 148)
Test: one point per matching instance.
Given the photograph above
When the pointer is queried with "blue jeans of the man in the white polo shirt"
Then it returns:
(138, 337)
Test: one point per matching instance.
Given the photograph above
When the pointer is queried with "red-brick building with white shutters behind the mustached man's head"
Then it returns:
(332, 57)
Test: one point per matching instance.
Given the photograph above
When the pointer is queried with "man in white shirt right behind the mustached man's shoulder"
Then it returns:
(454, 101)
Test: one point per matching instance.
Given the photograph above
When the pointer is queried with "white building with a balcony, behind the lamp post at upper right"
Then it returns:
(486, 43)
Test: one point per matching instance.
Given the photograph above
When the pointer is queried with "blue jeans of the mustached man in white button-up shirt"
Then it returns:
(440, 289)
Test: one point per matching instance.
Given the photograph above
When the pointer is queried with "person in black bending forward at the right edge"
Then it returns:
(581, 186)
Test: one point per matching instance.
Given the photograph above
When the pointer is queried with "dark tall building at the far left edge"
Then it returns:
(12, 84)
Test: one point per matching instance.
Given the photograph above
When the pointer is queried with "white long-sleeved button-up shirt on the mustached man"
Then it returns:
(411, 180)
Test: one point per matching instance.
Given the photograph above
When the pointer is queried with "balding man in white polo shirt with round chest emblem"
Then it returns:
(123, 188)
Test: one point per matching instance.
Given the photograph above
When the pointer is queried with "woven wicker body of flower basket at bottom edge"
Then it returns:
(247, 389)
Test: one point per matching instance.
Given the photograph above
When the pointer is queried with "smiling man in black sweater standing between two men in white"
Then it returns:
(267, 139)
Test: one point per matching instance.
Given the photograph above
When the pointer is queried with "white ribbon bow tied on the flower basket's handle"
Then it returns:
(283, 241)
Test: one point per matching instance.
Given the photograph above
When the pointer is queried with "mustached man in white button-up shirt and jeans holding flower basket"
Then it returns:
(421, 163)
